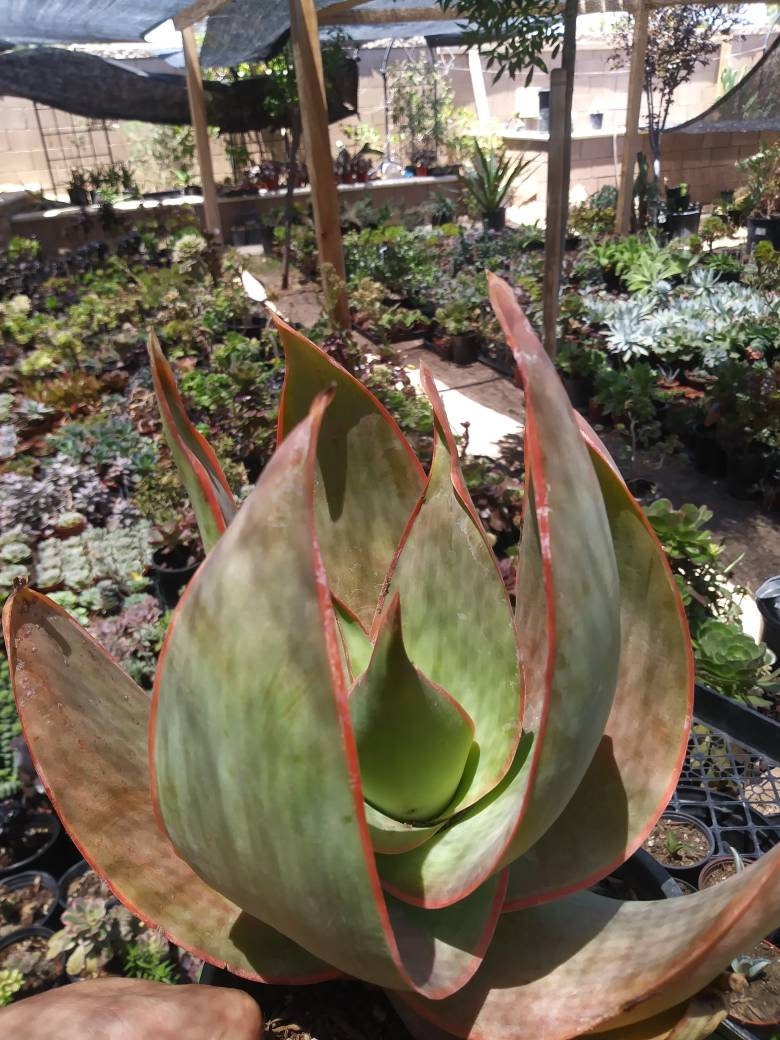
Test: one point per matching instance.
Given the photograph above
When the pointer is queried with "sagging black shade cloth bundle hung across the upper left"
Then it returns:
(89, 86)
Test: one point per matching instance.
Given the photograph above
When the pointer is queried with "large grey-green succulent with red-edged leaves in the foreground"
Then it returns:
(358, 761)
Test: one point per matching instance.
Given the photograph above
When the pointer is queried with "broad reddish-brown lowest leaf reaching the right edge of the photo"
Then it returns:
(586, 964)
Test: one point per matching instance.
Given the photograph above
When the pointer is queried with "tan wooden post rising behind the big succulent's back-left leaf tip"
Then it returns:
(305, 35)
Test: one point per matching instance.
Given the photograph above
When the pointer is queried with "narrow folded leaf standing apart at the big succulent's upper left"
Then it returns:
(209, 490)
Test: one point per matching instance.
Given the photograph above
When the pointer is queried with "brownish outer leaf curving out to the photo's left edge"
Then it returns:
(86, 724)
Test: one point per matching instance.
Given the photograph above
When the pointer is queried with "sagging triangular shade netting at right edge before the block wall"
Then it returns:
(753, 105)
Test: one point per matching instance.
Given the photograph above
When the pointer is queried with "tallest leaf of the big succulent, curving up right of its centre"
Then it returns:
(569, 628)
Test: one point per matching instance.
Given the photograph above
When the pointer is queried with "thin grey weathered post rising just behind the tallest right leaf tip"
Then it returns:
(559, 171)
